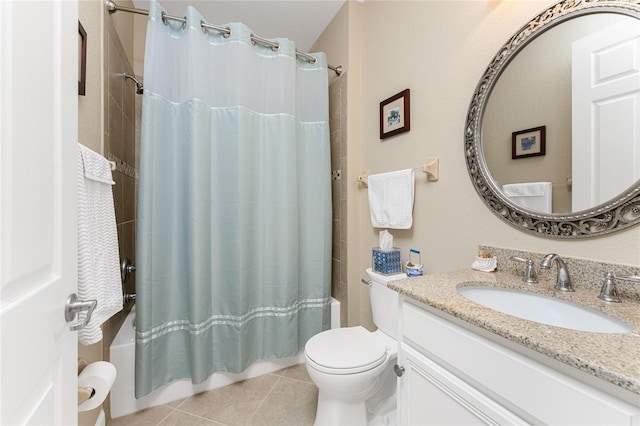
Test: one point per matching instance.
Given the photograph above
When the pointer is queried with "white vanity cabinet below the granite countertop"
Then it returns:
(454, 376)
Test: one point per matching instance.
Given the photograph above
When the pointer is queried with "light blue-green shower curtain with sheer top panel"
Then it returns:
(234, 219)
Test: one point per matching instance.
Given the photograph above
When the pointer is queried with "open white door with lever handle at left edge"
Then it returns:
(38, 137)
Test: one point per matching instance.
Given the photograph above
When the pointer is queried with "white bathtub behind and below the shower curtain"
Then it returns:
(122, 355)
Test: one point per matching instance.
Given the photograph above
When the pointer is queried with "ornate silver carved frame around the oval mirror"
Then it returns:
(614, 215)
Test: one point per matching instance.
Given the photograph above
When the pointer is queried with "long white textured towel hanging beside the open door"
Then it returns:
(98, 256)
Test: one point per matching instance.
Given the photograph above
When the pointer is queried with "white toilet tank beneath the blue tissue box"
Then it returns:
(384, 302)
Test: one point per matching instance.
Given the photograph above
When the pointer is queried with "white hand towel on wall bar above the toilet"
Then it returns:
(391, 199)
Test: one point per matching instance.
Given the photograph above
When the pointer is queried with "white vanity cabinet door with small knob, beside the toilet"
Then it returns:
(430, 395)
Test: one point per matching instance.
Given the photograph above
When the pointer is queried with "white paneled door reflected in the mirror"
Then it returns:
(606, 114)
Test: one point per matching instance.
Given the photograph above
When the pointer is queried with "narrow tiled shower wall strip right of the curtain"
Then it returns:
(338, 126)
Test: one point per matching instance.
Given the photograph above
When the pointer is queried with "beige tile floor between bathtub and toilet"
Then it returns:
(285, 397)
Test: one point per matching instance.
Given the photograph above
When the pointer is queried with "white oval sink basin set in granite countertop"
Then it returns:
(545, 310)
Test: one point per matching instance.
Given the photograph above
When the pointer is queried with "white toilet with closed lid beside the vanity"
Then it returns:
(353, 367)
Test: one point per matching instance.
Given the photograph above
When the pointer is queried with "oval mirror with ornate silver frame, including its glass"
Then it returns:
(552, 138)
